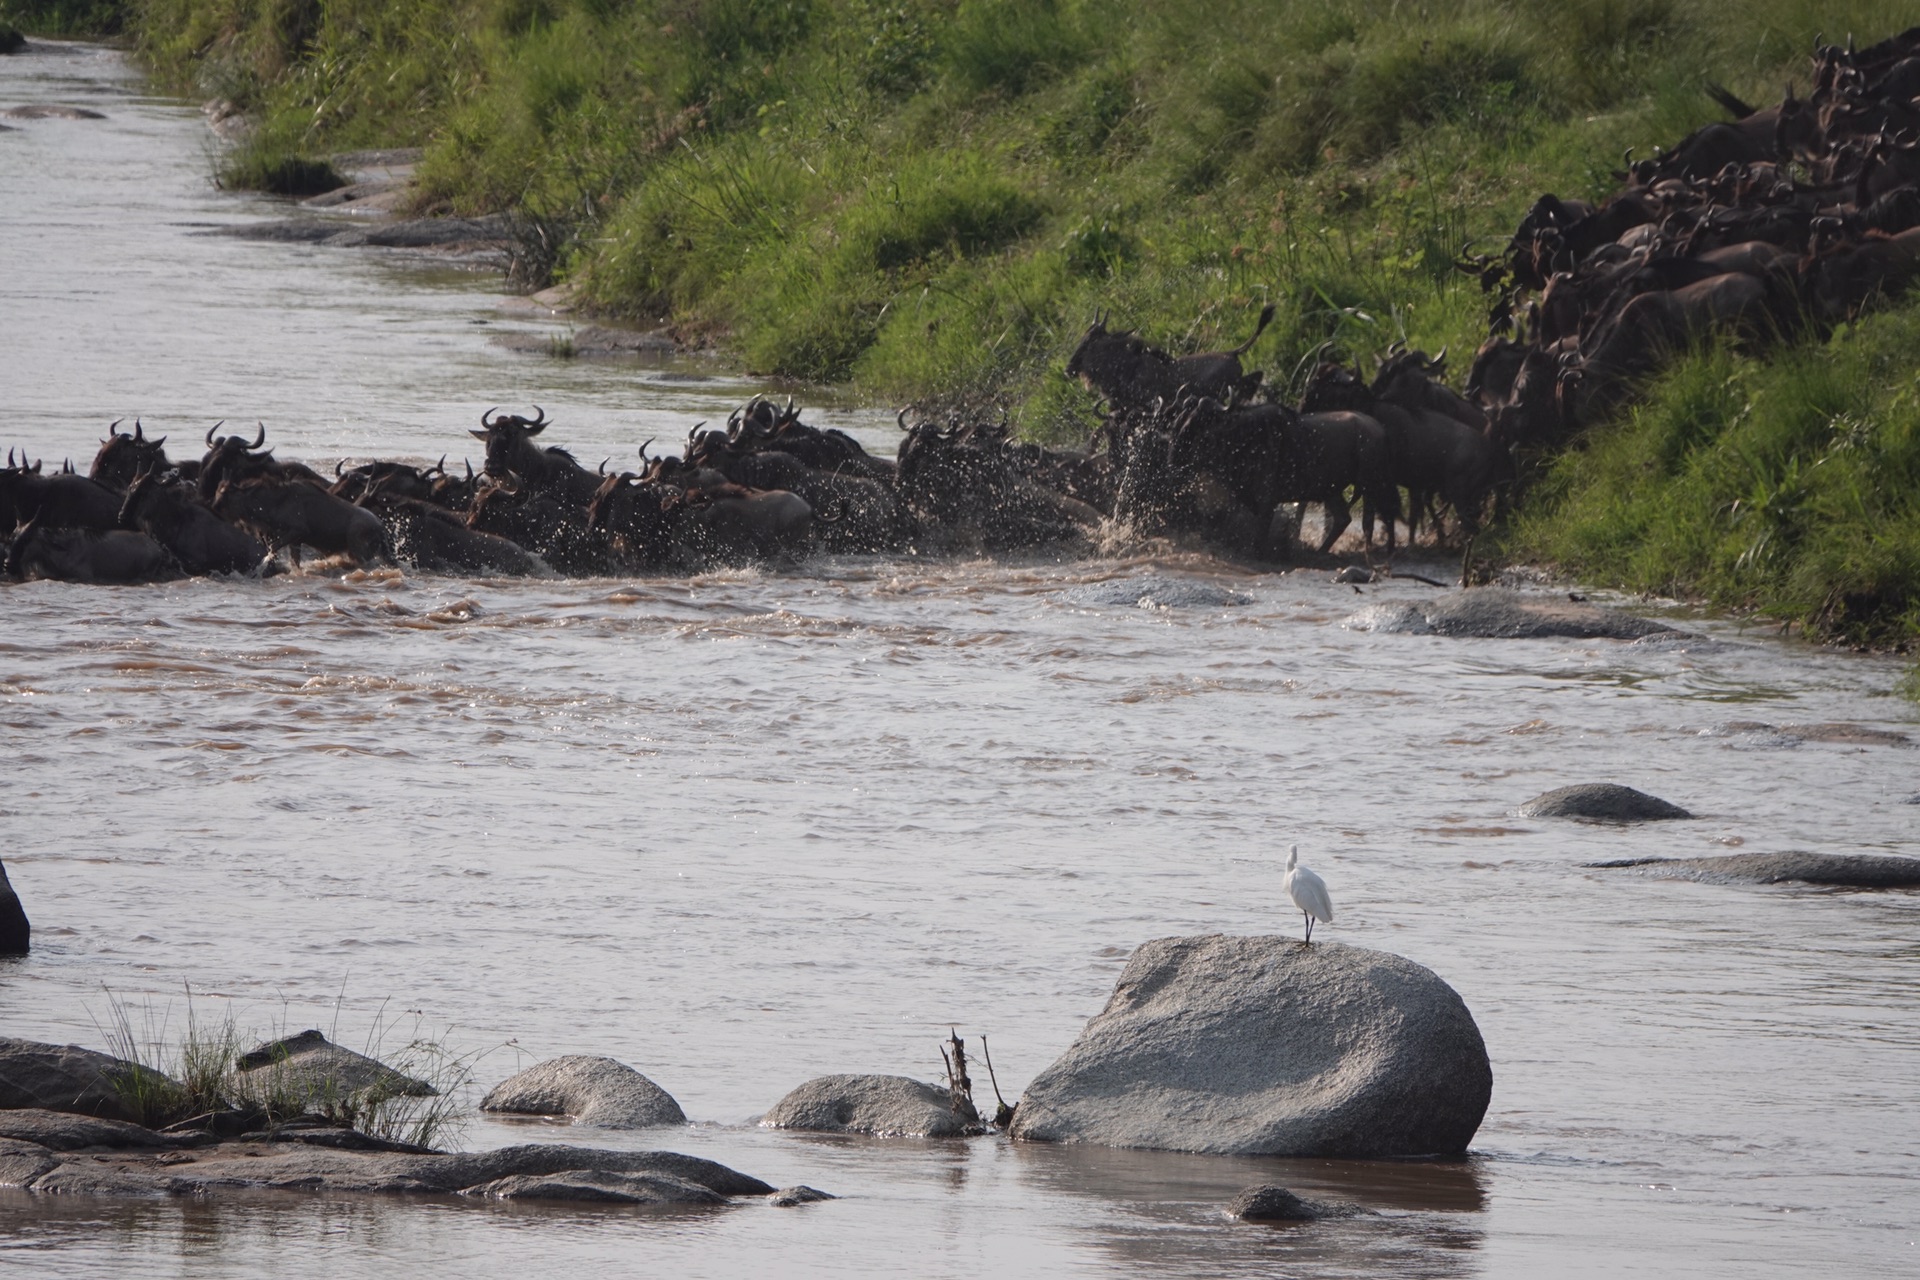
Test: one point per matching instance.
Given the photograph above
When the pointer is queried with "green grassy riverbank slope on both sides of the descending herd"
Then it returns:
(932, 197)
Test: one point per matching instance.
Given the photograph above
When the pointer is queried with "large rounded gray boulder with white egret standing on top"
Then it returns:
(1266, 1047)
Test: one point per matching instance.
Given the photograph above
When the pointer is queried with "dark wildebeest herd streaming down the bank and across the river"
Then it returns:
(1783, 220)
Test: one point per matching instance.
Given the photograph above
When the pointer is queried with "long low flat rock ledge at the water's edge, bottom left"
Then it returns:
(539, 1172)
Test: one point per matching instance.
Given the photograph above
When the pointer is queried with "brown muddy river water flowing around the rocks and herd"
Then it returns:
(752, 828)
